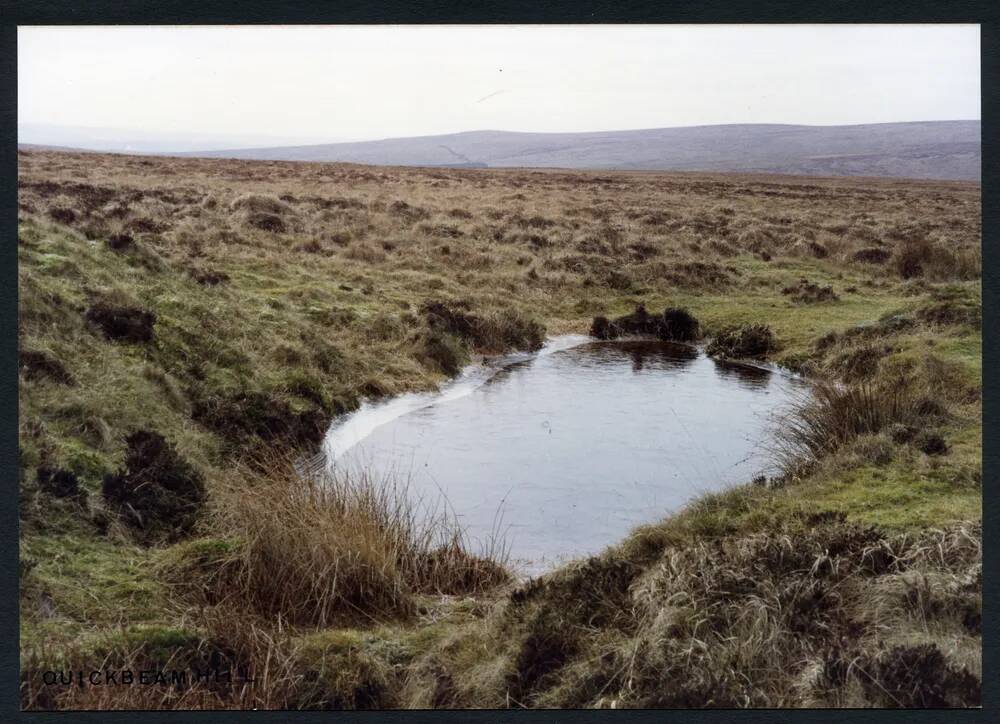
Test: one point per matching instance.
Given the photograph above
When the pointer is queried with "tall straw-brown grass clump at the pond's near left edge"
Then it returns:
(318, 549)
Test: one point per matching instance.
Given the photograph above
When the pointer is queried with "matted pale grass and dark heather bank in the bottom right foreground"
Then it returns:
(782, 619)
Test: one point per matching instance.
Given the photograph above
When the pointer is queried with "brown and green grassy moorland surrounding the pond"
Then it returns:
(186, 323)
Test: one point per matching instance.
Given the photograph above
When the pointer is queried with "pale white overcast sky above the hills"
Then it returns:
(226, 86)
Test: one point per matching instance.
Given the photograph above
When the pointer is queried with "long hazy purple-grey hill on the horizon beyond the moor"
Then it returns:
(934, 150)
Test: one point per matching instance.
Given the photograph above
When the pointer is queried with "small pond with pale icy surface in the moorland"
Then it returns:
(564, 451)
